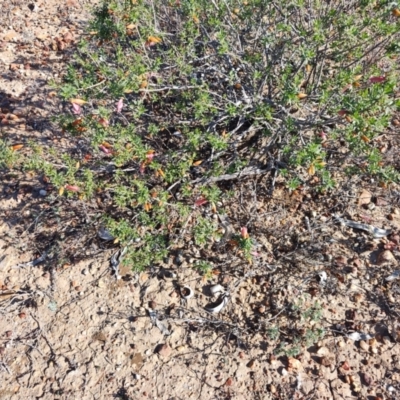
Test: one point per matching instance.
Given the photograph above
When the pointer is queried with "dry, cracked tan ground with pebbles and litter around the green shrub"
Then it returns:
(74, 331)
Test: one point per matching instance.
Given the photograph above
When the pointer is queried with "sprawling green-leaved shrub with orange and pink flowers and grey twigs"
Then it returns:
(162, 94)
